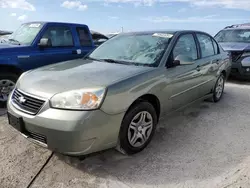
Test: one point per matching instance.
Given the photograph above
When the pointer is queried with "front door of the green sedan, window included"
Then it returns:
(184, 79)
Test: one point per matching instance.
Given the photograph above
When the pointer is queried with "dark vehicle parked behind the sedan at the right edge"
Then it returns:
(236, 40)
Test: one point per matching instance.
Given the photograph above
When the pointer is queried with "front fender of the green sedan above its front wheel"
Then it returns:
(121, 95)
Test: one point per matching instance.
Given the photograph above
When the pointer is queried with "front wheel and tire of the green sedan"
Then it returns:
(129, 129)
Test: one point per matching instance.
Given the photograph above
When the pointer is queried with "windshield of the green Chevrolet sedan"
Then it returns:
(139, 49)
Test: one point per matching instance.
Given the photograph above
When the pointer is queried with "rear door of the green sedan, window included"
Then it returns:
(208, 63)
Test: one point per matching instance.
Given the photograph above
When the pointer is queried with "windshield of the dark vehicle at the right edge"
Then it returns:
(237, 35)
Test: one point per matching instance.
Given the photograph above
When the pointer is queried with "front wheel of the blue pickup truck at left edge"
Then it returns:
(7, 84)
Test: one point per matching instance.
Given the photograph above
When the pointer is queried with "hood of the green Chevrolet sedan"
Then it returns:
(76, 74)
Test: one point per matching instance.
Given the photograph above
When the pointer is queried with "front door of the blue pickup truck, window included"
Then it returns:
(62, 49)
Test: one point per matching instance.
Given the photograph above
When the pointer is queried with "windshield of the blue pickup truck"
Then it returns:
(25, 34)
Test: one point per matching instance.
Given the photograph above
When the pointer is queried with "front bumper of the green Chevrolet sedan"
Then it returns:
(70, 132)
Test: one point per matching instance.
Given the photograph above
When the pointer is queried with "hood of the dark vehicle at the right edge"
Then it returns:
(235, 46)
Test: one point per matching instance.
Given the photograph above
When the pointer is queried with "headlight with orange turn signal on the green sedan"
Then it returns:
(82, 99)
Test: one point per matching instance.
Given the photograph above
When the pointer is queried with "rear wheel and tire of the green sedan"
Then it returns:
(219, 88)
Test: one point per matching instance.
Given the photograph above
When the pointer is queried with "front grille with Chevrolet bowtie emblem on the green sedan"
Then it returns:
(26, 102)
